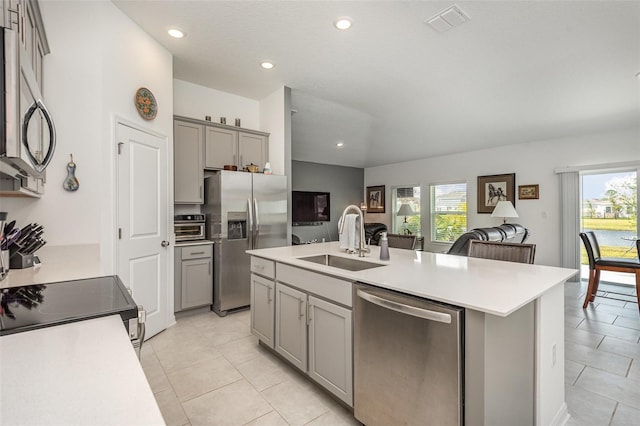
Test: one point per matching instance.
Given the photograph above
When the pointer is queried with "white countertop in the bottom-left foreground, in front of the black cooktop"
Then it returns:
(82, 373)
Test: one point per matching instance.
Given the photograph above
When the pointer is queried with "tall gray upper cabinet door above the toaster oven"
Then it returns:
(188, 165)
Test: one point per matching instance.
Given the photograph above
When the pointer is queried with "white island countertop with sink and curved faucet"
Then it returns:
(498, 288)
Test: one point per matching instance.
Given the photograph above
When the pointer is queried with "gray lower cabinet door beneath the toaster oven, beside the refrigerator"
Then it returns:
(197, 283)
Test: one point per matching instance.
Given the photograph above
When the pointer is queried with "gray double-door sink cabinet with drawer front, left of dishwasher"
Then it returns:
(313, 330)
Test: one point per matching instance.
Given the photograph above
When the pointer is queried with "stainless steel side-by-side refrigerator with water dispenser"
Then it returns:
(243, 211)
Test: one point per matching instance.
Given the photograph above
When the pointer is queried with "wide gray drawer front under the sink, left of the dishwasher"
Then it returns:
(325, 286)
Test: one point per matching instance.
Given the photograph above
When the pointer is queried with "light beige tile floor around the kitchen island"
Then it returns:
(208, 370)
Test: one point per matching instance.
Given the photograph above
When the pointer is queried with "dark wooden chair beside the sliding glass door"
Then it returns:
(598, 263)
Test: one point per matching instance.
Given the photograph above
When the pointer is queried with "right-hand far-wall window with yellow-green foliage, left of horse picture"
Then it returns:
(448, 211)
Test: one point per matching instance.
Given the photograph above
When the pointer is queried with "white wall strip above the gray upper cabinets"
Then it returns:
(195, 101)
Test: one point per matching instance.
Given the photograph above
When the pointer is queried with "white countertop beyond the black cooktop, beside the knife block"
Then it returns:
(58, 263)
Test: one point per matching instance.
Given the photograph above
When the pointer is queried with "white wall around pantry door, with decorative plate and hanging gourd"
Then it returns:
(98, 59)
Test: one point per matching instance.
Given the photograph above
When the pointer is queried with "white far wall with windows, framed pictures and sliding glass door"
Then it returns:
(532, 162)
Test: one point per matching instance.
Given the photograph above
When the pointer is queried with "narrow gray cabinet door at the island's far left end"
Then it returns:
(262, 309)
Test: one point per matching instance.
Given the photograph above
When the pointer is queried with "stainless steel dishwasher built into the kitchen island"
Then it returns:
(408, 359)
